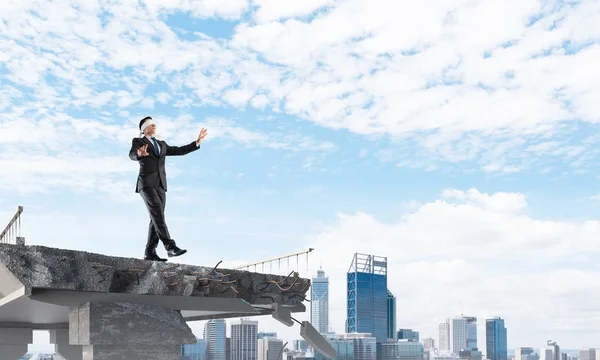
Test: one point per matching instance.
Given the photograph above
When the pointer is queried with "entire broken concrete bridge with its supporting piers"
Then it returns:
(99, 307)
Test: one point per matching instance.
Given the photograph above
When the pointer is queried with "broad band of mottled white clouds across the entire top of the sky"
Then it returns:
(458, 82)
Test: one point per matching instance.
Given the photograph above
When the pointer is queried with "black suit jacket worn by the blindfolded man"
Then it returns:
(152, 167)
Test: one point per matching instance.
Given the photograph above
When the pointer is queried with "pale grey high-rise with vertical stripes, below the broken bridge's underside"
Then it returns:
(244, 337)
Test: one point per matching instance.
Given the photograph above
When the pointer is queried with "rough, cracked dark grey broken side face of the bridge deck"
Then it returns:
(61, 269)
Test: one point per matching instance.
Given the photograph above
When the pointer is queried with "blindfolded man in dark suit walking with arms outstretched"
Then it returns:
(152, 183)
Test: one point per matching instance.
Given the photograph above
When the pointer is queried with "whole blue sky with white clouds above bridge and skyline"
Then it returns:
(459, 139)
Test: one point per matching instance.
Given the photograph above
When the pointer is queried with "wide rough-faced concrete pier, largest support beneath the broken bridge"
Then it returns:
(122, 331)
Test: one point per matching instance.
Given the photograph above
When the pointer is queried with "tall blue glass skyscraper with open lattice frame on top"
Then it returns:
(367, 296)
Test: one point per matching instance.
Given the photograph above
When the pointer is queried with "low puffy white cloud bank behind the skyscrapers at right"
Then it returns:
(482, 251)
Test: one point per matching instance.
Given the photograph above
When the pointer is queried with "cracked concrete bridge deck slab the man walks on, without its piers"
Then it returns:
(38, 284)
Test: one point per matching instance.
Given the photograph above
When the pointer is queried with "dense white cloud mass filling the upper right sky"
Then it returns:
(355, 75)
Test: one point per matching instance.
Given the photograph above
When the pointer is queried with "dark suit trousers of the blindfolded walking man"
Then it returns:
(155, 199)
